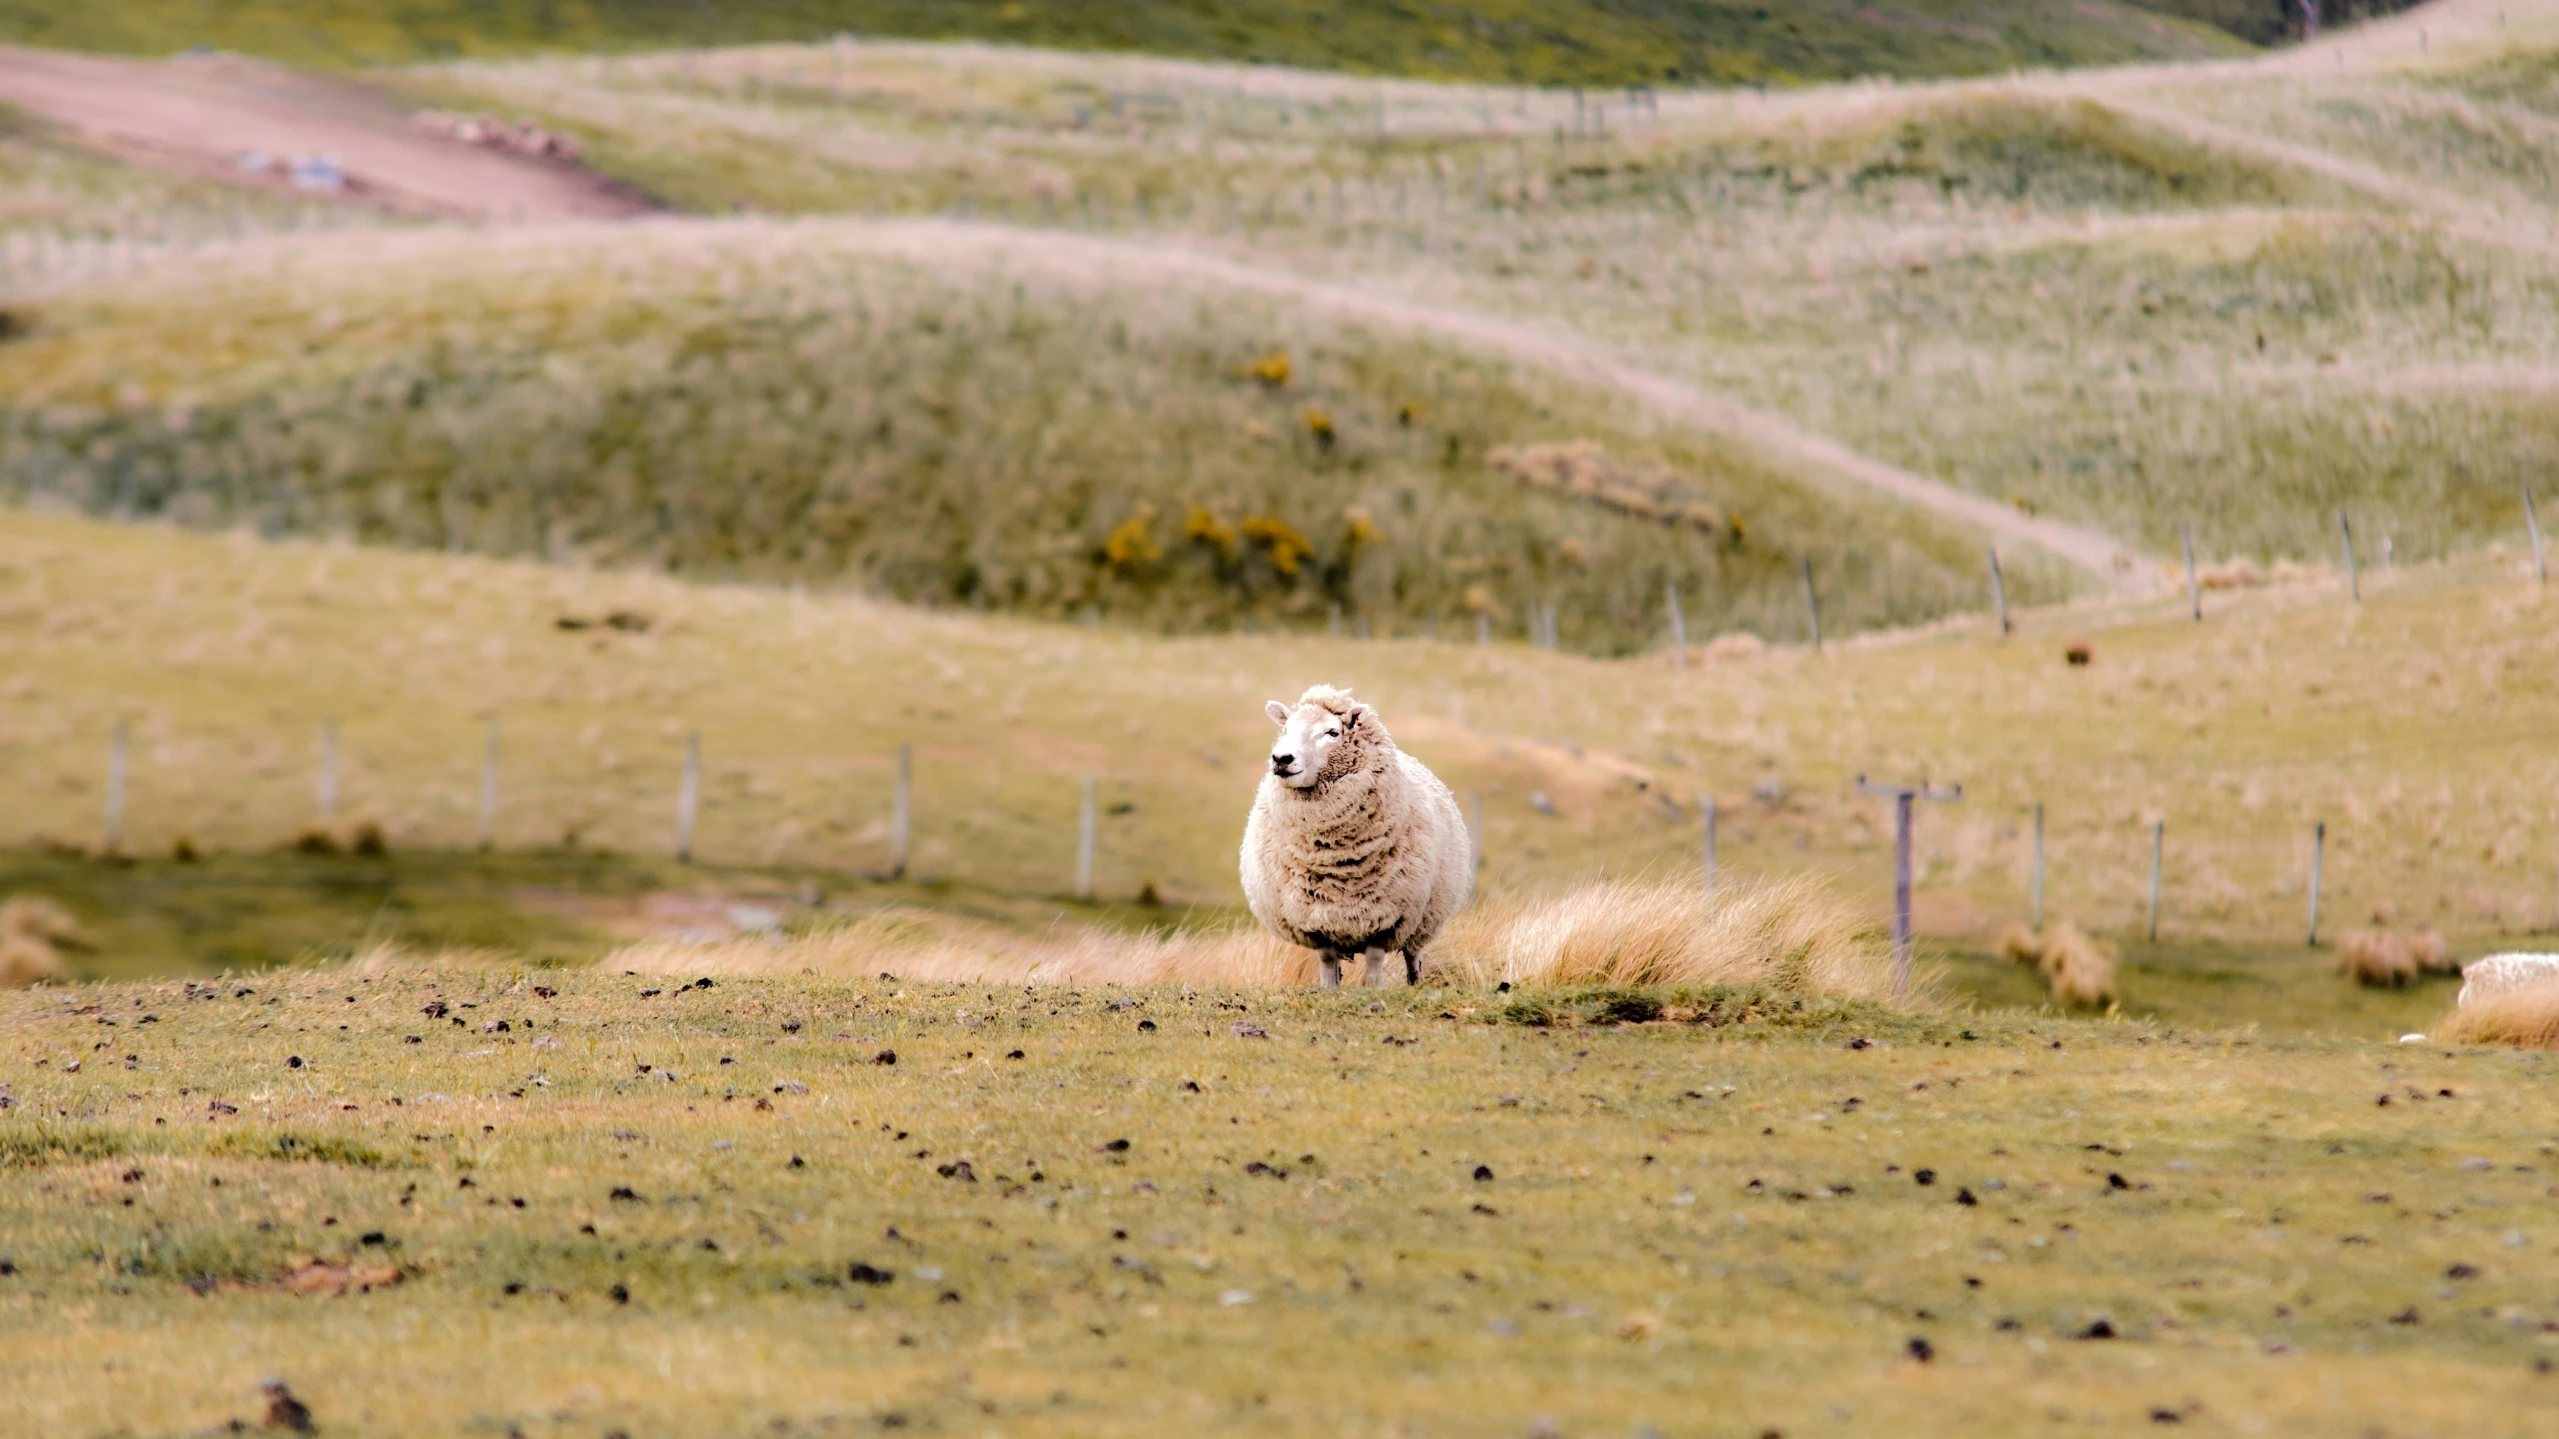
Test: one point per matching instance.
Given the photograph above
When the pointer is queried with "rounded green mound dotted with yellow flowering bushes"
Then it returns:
(777, 403)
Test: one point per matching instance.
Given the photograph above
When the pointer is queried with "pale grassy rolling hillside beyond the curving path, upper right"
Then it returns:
(2233, 298)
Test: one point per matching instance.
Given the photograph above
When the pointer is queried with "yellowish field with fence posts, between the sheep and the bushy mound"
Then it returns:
(2409, 723)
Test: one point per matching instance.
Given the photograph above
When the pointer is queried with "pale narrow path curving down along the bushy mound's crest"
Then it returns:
(1770, 437)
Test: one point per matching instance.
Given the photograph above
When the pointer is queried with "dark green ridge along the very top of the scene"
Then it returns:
(1580, 42)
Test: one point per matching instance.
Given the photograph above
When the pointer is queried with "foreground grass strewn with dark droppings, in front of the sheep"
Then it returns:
(1677, 1220)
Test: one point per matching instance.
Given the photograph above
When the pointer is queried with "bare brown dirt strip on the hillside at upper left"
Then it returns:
(203, 114)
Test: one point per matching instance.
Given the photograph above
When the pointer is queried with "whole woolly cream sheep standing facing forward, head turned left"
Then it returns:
(1352, 846)
